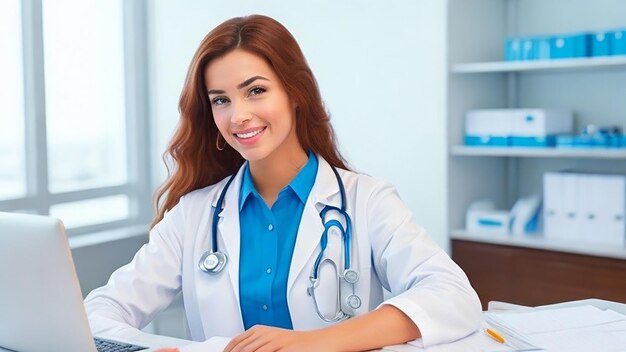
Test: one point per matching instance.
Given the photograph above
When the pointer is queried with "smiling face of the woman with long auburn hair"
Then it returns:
(251, 107)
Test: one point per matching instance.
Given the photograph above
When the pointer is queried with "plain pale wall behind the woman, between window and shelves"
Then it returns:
(381, 67)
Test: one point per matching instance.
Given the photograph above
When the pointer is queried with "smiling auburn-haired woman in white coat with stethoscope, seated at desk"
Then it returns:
(269, 235)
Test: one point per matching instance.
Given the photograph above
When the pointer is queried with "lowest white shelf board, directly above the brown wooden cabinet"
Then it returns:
(538, 242)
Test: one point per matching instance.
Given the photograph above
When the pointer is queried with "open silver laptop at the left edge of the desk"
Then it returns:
(41, 305)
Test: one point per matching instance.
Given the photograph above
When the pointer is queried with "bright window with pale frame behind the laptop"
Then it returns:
(73, 109)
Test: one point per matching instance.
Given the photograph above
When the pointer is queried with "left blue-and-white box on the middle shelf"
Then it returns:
(488, 127)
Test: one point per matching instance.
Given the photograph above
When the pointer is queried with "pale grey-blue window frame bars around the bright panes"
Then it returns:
(138, 186)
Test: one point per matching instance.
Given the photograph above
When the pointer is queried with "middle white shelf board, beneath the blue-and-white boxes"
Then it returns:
(460, 150)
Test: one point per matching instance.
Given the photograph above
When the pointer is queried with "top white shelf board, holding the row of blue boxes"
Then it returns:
(592, 63)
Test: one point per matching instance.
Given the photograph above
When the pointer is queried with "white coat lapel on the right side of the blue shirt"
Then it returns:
(311, 227)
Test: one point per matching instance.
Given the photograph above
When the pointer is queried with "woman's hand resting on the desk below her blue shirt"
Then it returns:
(262, 338)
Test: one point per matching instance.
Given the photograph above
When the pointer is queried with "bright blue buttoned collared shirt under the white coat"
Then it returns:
(268, 237)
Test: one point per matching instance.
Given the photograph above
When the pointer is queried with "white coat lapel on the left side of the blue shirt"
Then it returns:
(229, 231)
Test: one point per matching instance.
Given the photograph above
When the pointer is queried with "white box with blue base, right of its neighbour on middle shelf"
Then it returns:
(539, 127)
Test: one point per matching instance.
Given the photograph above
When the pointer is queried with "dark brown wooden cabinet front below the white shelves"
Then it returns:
(536, 277)
